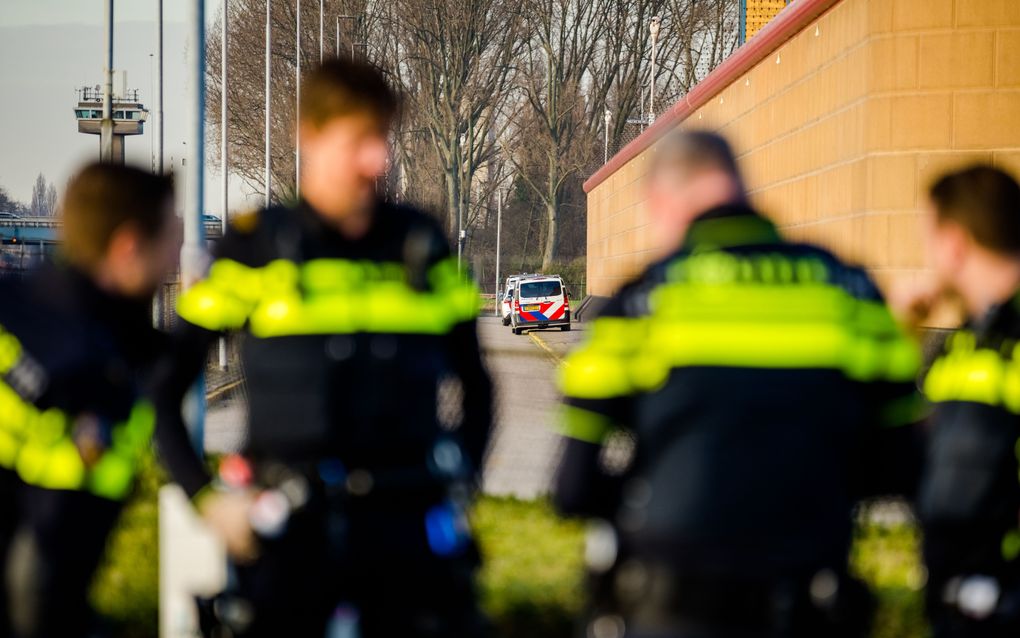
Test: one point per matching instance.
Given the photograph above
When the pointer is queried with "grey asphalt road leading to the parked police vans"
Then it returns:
(524, 450)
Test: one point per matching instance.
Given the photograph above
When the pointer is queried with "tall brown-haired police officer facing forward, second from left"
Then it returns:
(353, 315)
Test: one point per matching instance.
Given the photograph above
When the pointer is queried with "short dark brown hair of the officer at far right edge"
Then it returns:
(986, 202)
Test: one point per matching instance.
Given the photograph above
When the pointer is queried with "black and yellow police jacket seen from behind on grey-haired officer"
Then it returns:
(761, 384)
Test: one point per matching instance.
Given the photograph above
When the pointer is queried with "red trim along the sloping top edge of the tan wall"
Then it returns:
(790, 23)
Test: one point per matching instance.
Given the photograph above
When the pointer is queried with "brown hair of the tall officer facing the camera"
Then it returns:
(340, 87)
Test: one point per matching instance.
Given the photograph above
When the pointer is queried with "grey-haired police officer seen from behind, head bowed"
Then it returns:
(762, 389)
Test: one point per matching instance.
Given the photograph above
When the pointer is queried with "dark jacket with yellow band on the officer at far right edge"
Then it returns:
(970, 500)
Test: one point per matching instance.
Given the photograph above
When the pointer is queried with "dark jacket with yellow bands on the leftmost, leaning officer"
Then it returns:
(72, 357)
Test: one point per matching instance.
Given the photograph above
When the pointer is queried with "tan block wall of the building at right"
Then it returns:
(842, 130)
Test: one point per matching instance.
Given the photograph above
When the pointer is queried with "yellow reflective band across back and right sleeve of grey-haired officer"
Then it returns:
(779, 326)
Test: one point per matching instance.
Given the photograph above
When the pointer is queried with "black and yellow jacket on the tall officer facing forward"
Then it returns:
(347, 341)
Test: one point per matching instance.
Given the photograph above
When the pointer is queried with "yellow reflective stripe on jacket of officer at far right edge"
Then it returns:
(976, 375)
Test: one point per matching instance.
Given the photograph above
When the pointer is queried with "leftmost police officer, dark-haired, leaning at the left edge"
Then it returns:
(75, 341)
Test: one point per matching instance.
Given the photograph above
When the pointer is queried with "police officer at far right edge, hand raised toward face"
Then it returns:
(970, 502)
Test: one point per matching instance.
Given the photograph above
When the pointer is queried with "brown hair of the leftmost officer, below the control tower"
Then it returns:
(101, 199)
